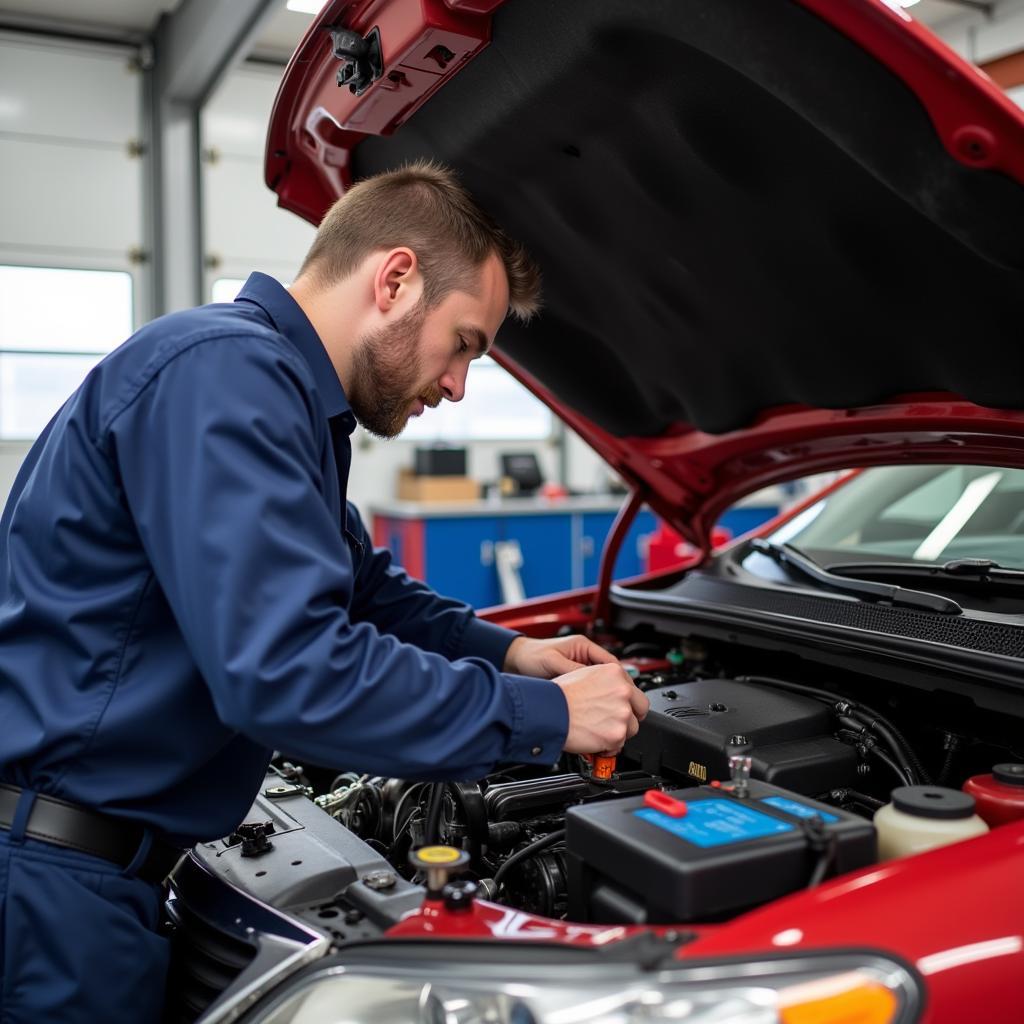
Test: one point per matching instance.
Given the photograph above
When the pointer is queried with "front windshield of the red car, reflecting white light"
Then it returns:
(923, 515)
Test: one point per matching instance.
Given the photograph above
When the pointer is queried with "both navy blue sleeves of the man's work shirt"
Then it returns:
(232, 511)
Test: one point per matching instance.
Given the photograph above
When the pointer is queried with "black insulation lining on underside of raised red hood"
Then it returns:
(738, 209)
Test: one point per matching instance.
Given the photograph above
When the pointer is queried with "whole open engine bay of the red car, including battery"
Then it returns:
(753, 777)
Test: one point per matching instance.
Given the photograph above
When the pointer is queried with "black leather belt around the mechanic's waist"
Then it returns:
(76, 828)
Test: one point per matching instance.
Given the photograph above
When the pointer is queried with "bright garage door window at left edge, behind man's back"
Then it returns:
(56, 325)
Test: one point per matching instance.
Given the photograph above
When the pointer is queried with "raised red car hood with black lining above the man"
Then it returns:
(779, 237)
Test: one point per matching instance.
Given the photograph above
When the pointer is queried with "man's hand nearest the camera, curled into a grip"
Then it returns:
(606, 709)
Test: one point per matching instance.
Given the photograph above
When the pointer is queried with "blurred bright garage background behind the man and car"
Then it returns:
(136, 153)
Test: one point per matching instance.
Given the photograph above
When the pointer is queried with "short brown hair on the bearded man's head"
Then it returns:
(422, 206)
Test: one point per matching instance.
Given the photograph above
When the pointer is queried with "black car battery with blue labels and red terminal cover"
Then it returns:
(705, 854)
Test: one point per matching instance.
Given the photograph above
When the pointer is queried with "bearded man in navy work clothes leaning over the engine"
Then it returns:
(186, 590)
